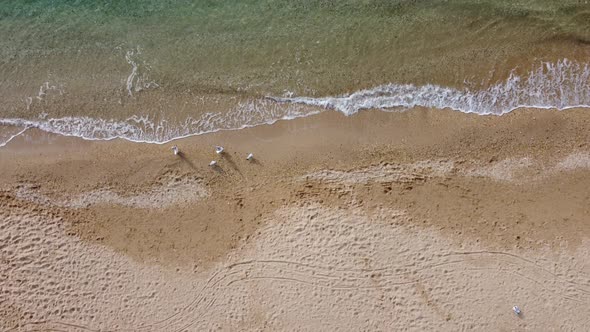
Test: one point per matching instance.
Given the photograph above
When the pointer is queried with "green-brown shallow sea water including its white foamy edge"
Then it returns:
(153, 70)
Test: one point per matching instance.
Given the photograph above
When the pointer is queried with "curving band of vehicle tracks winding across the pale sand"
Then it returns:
(315, 276)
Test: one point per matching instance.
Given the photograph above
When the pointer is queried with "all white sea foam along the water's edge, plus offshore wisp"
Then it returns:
(561, 85)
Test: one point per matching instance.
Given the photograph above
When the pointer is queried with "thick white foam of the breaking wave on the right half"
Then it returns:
(561, 85)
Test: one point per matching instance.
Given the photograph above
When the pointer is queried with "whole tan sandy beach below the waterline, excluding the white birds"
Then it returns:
(425, 220)
